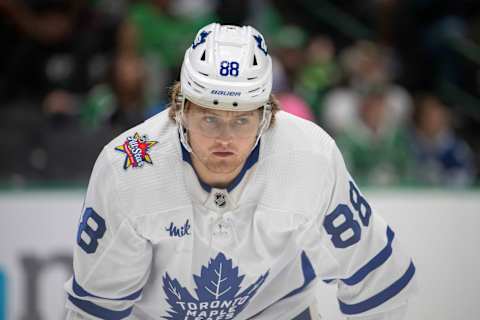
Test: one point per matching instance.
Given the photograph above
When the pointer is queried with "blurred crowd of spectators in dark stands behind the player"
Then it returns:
(396, 82)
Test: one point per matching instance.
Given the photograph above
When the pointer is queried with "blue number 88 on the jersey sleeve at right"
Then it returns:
(341, 225)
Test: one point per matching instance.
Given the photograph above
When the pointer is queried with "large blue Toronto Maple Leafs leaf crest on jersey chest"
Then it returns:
(217, 290)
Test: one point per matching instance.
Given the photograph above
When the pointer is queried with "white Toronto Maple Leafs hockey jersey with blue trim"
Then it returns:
(155, 242)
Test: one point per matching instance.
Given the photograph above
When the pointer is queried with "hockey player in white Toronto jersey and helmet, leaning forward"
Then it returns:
(224, 207)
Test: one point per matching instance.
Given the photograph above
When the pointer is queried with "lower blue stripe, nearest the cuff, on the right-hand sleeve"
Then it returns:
(381, 297)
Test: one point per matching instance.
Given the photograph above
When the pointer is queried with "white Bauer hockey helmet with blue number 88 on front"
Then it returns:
(227, 68)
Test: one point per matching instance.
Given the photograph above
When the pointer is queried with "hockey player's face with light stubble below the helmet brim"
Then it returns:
(221, 140)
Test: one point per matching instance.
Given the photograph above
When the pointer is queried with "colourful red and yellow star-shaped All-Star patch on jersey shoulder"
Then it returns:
(136, 148)
